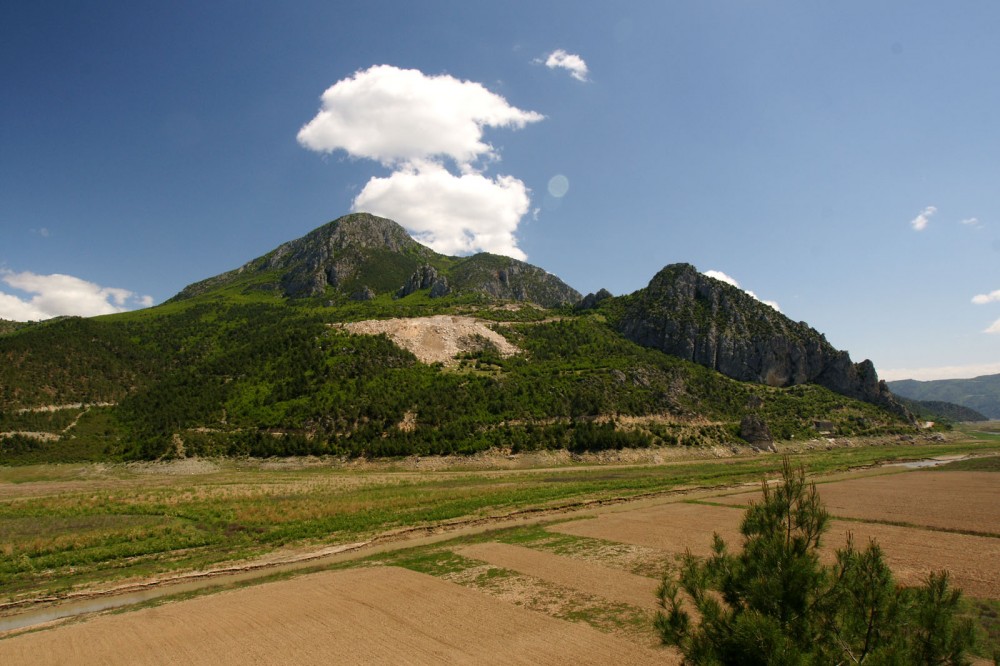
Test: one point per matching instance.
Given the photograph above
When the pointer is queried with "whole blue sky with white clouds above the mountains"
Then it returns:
(839, 159)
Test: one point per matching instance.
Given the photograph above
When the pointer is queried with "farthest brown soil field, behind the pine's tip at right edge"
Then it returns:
(965, 501)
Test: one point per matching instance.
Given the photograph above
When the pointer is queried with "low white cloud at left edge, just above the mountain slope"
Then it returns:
(55, 295)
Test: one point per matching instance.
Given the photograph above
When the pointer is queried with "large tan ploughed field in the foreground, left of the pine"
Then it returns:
(382, 615)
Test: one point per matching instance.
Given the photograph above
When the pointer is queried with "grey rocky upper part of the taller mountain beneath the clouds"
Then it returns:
(361, 256)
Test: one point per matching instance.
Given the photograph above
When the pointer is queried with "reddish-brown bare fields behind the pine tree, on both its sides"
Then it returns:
(944, 520)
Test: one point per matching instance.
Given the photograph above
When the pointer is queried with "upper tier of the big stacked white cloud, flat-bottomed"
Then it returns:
(396, 116)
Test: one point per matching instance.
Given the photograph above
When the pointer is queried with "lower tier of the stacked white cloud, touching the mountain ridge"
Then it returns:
(451, 214)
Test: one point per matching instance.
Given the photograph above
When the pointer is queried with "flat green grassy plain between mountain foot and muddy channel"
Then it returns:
(93, 524)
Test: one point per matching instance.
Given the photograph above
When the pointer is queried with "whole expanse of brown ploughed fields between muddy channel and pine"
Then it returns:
(580, 591)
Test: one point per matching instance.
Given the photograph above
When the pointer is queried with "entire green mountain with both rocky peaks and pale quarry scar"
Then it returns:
(321, 347)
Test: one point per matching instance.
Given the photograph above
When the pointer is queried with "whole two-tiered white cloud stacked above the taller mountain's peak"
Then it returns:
(416, 125)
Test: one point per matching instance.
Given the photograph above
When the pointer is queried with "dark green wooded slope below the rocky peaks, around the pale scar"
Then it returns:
(230, 375)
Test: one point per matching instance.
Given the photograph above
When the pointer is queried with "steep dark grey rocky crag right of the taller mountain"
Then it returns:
(692, 316)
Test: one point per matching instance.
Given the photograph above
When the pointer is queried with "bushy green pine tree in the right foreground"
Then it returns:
(775, 603)
